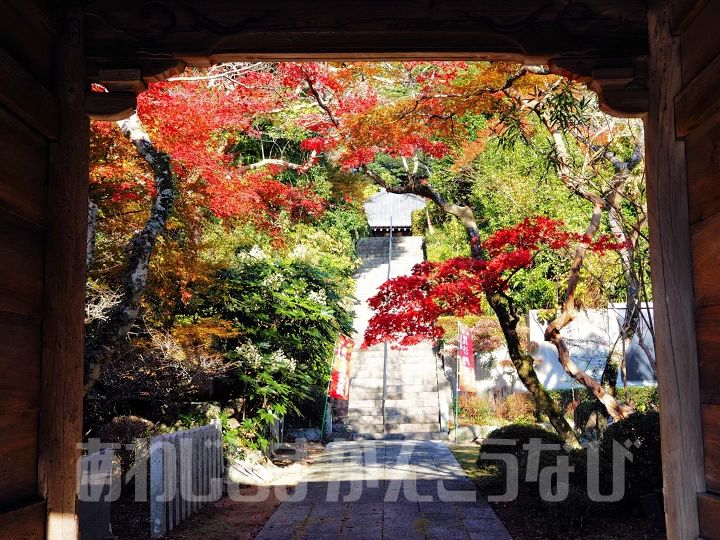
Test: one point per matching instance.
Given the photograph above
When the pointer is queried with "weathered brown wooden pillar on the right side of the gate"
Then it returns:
(672, 280)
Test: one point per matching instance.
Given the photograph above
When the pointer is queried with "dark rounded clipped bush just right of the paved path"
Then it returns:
(521, 434)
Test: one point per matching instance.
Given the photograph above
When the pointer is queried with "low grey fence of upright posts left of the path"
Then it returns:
(186, 472)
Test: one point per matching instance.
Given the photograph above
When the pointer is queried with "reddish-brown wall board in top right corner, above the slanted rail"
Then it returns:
(700, 41)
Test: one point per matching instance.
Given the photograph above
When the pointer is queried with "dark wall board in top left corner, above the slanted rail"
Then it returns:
(24, 36)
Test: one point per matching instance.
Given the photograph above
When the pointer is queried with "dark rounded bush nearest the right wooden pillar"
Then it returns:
(644, 473)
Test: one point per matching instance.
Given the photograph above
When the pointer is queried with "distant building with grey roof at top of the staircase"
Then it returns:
(383, 205)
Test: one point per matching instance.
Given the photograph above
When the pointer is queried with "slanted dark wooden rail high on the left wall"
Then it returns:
(25, 96)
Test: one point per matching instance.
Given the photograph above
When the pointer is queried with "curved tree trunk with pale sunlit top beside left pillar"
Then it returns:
(112, 331)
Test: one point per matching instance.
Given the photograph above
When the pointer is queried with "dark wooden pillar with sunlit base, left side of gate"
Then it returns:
(63, 330)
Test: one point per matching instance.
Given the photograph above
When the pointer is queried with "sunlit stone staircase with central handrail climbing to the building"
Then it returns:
(412, 408)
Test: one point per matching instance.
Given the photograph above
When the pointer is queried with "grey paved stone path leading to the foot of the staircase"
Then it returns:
(394, 490)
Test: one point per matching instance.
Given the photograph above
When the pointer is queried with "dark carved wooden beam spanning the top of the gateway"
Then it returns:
(133, 34)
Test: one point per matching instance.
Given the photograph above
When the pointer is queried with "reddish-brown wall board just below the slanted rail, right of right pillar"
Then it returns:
(703, 159)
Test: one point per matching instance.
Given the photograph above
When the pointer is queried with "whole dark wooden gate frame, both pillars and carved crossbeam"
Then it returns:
(629, 56)
